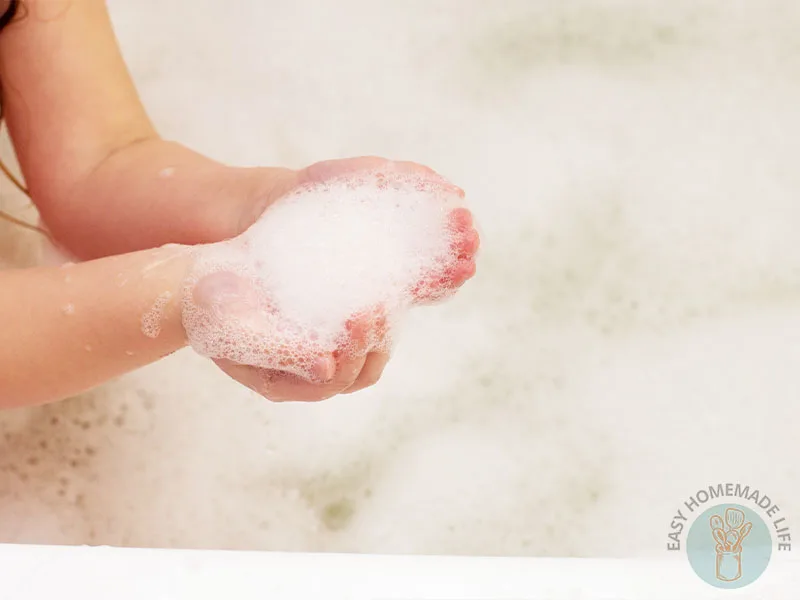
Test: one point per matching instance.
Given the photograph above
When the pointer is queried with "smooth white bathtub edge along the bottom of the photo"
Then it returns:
(101, 573)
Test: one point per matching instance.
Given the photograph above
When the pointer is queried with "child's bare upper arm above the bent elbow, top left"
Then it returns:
(67, 95)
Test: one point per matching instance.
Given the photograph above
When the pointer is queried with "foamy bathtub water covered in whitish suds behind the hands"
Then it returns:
(632, 335)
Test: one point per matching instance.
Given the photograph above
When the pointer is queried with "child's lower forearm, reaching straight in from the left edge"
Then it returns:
(67, 329)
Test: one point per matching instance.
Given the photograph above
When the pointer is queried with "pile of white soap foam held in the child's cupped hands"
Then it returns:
(327, 252)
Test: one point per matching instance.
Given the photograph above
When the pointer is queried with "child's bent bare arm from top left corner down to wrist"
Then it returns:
(91, 158)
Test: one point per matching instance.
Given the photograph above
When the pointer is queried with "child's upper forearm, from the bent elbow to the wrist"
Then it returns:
(154, 193)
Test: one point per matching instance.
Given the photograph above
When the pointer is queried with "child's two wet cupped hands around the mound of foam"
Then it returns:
(235, 323)
